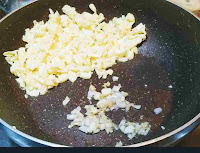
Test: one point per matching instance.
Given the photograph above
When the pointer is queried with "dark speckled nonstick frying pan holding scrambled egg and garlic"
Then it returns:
(169, 57)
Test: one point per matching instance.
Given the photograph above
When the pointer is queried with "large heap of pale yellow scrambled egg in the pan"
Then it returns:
(72, 46)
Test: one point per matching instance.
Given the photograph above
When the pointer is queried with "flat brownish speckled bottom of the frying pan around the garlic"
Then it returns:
(147, 84)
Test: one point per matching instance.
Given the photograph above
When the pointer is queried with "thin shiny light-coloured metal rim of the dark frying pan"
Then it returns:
(145, 143)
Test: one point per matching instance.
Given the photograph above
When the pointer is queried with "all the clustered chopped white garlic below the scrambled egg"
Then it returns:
(96, 120)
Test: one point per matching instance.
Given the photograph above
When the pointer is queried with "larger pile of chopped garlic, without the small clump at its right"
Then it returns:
(95, 119)
